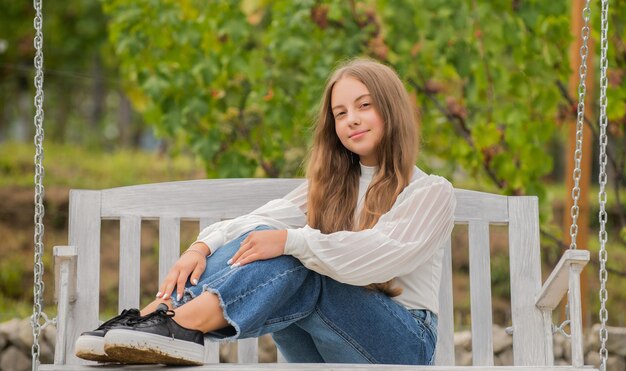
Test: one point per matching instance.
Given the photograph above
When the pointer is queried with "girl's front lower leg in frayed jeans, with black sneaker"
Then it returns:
(248, 301)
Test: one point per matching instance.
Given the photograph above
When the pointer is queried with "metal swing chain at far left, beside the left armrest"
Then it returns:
(39, 189)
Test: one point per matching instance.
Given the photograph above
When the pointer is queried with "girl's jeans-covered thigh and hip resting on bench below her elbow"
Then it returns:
(384, 332)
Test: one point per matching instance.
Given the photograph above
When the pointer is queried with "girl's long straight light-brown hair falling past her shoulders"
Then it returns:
(333, 171)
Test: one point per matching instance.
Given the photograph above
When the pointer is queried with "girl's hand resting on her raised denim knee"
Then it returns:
(260, 245)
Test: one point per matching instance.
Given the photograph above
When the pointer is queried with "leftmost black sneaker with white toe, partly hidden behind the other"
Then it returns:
(90, 344)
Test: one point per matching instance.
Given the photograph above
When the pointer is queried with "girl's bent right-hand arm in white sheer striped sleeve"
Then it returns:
(405, 237)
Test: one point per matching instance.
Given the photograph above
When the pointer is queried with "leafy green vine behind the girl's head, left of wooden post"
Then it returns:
(238, 82)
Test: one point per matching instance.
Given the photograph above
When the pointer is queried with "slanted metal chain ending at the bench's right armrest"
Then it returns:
(578, 154)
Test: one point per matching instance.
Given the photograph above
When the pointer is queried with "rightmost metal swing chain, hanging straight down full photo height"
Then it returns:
(602, 178)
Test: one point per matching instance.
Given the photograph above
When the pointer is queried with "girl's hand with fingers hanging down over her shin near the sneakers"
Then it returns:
(190, 265)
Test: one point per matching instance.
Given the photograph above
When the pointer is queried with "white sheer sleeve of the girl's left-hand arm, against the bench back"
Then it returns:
(283, 213)
